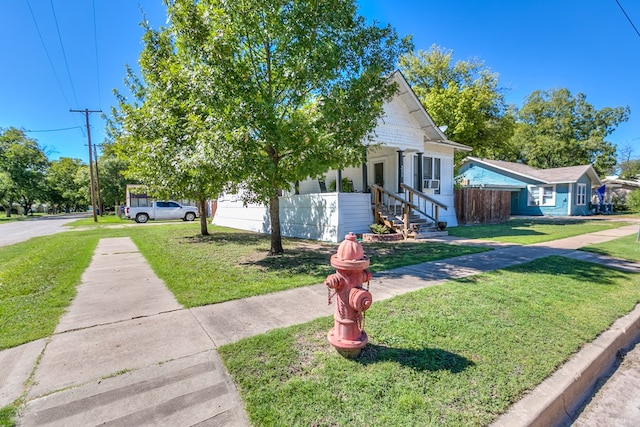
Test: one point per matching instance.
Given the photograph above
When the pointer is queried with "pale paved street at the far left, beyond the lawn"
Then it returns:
(19, 231)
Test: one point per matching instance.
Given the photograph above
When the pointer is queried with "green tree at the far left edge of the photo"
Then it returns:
(24, 164)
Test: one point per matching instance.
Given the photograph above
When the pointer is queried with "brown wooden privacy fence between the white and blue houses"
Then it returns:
(480, 206)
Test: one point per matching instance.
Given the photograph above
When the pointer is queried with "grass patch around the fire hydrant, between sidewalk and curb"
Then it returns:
(456, 354)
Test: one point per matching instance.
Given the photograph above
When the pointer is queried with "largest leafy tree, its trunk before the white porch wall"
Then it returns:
(309, 78)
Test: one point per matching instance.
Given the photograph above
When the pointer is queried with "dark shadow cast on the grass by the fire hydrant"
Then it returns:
(426, 359)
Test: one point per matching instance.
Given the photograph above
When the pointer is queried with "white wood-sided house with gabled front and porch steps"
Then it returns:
(410, 168)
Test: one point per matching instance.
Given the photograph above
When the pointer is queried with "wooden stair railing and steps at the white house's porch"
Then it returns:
(403, 206)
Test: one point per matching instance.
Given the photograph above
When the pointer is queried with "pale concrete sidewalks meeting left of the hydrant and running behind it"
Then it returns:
(126, 353)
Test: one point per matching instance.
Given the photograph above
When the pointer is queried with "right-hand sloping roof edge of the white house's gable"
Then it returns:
(419, 113)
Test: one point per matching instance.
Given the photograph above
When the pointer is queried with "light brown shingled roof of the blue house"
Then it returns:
(569, 174)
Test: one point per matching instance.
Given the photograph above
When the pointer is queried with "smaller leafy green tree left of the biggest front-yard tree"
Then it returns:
(175, 136)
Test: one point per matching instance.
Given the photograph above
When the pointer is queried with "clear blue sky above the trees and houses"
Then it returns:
(587, 46)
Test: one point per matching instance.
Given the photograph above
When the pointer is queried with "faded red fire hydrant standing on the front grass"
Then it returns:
(348, 335)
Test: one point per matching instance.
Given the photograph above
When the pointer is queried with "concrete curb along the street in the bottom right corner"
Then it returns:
(559, 398)
